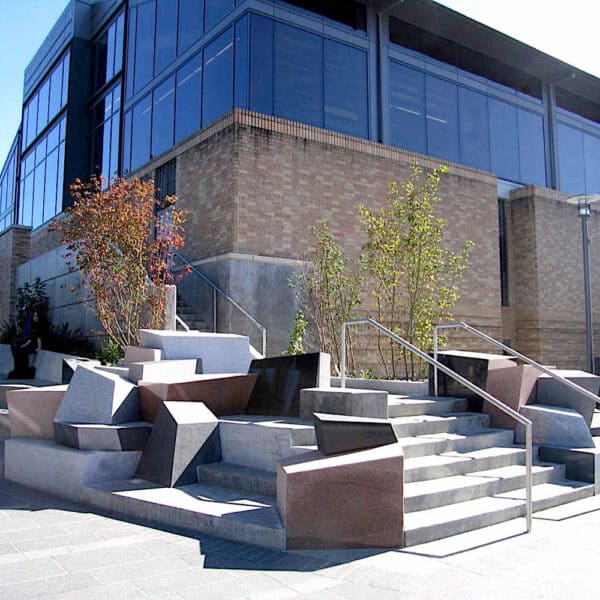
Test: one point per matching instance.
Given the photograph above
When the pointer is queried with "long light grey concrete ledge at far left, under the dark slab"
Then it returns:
(48, 467)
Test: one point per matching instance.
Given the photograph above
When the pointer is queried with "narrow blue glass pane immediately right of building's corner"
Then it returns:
(261, 65)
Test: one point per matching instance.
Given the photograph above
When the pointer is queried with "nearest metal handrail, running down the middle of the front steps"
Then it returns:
(460, 379)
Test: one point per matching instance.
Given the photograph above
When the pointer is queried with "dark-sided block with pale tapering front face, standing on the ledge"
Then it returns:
(184, 436)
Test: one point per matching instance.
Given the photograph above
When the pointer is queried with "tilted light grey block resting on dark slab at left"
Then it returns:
(95, 396)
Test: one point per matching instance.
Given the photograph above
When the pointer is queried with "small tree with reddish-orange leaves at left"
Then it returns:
(123, 248)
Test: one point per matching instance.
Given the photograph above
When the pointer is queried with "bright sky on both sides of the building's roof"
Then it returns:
(565, 29)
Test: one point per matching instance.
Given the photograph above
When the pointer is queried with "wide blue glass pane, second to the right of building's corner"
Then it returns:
(298, 75)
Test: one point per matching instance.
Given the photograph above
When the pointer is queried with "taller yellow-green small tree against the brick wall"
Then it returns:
(414, 277)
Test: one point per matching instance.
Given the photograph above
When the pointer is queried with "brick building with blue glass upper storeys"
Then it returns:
(265, 116)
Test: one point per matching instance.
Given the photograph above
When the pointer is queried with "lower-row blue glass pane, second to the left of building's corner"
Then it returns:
(188, 98)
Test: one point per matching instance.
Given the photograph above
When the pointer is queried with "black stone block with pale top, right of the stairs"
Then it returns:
(473, 366)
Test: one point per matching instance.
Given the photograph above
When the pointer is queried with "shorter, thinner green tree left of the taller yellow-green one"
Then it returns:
(329, 292)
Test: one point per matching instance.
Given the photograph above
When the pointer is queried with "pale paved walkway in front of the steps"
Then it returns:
(54, 549)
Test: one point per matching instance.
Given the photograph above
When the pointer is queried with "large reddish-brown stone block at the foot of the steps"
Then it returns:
(352, 500)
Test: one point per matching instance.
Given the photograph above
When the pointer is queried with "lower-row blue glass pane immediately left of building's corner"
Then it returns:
(218, 78)
